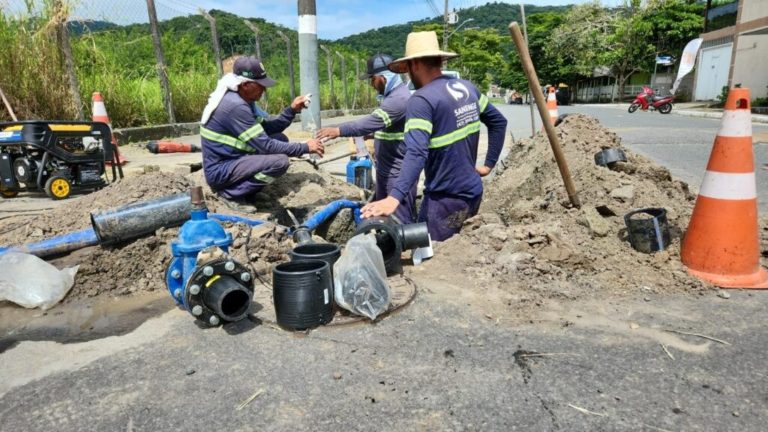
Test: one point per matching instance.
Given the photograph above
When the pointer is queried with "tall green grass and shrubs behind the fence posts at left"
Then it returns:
(119, 61)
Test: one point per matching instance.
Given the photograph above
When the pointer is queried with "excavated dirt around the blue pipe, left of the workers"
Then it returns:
(140, 265)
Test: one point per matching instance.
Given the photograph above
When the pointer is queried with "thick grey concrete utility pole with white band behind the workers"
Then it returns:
(310, 82)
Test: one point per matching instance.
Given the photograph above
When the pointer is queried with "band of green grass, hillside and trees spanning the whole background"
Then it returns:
(567, 44)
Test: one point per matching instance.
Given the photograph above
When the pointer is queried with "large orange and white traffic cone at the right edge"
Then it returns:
(722, 245)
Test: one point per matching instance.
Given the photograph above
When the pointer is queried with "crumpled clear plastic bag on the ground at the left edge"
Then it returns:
(31, 282)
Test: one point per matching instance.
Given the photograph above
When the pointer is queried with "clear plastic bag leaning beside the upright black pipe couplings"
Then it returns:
(360, 279)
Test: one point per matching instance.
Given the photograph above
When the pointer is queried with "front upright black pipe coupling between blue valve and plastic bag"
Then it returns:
(303, 294)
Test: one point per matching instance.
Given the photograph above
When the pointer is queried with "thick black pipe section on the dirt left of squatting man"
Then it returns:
(135, 220)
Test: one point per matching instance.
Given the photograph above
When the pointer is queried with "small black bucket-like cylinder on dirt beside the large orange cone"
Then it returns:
(648, 234)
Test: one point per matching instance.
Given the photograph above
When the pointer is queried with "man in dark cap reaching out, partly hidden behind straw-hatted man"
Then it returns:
(386, 123)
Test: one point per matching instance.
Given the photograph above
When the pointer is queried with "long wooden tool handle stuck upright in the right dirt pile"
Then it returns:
(533, 82)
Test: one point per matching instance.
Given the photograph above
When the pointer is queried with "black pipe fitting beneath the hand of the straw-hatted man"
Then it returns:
(392, 238)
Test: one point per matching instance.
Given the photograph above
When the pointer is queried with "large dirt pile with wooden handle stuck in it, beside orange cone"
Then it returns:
(528, 244)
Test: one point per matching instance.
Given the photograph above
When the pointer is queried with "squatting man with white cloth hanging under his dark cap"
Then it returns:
(243, 150)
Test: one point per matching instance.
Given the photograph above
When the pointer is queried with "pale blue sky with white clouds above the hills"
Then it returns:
(336, 18)
